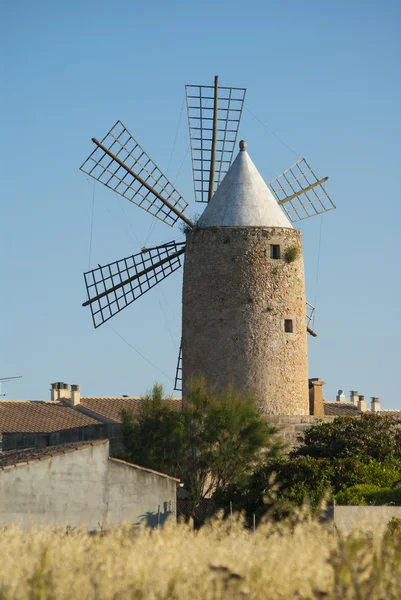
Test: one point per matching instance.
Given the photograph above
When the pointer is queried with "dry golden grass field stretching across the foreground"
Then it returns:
(222, 560)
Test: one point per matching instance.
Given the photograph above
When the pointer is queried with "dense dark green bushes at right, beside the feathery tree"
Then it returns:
(354, 460)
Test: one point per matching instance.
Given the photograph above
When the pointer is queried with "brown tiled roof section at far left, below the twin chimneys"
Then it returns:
(27, 416)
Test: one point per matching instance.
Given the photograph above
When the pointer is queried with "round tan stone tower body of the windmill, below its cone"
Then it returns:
(235, 301)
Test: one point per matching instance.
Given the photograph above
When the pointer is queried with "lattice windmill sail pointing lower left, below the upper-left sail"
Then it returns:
(114, 286)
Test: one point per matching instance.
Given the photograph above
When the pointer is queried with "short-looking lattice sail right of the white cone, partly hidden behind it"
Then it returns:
(300, 192)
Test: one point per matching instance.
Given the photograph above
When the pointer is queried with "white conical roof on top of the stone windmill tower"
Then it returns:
(243, 199)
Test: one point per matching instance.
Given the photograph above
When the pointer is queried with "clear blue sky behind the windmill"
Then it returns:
(324, 76)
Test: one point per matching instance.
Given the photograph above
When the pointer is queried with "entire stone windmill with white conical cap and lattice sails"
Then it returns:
(243, 290)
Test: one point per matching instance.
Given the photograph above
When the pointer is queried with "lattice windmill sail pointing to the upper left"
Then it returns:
(122, 165)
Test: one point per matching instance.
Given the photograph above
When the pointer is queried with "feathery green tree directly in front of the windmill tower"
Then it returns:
(216, 440)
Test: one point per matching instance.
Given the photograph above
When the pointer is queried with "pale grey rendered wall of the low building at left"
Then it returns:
(84, 487)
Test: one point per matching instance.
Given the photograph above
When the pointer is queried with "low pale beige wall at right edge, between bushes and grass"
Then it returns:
(366, 518)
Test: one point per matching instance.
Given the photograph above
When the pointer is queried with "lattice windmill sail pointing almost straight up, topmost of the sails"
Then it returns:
(213, 127)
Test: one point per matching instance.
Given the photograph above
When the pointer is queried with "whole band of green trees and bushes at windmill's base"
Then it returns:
(222, 448)
